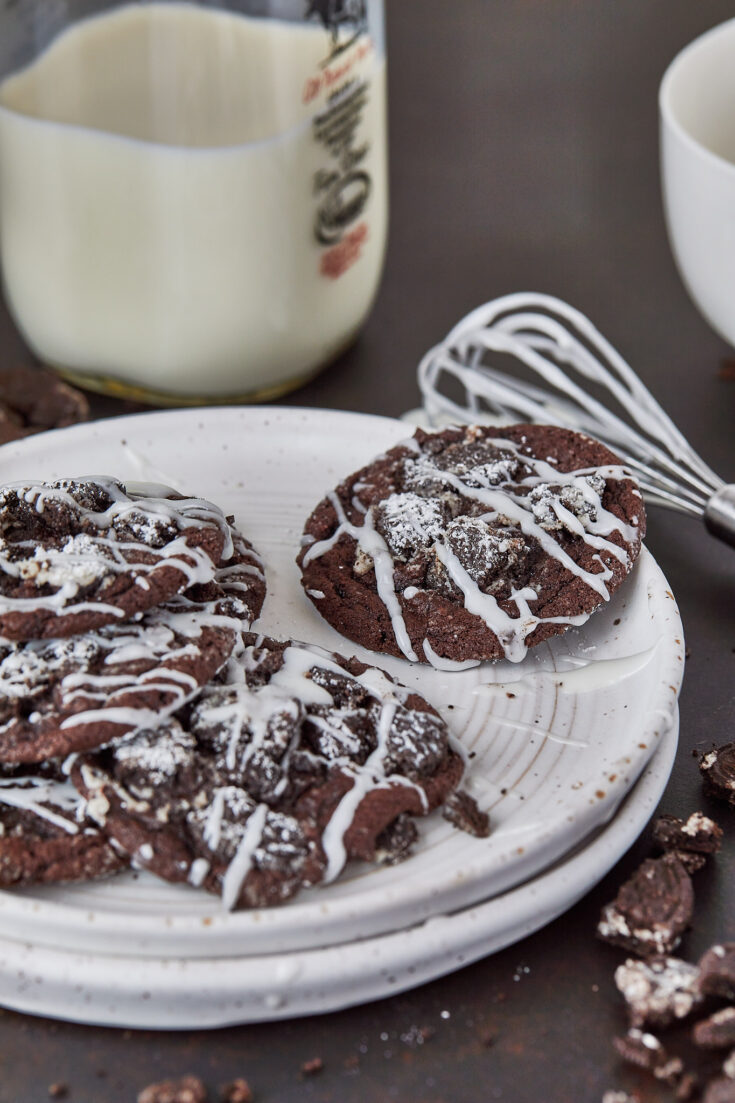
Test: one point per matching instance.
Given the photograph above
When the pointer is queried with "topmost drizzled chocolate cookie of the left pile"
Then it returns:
(77, 554)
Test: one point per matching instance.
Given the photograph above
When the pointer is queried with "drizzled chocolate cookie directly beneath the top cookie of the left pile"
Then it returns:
(72, 694)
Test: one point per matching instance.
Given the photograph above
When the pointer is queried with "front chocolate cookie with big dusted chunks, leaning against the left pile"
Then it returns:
(275, 779)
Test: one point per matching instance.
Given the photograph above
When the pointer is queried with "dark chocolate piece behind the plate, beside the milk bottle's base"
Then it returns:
(34, 400)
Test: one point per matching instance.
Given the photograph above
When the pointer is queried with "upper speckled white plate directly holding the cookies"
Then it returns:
(557, 743)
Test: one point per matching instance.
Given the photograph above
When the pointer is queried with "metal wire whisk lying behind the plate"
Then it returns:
(558, 342)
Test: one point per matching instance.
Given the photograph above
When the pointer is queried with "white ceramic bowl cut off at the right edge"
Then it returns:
(698, 168)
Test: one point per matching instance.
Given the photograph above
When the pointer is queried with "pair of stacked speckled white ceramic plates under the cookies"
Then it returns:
(569, 752)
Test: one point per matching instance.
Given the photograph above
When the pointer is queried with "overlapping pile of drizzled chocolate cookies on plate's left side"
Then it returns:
(142, 722)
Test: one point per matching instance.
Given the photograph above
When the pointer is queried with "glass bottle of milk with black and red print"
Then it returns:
(194, 196)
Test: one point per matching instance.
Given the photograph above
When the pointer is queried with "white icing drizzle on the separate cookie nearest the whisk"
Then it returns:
(510, 508)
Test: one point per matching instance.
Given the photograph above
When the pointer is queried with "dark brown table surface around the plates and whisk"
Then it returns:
(525, 157)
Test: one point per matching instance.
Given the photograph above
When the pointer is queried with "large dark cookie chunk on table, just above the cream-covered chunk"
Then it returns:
(653, 909)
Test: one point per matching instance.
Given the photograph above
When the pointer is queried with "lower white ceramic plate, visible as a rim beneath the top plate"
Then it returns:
(190, 994)
